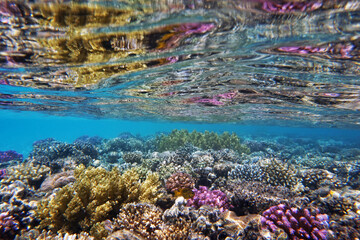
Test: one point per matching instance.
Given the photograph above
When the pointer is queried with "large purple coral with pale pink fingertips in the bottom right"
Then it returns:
(297, 223)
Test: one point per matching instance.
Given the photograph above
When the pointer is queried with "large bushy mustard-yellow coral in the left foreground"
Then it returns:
(96, 196)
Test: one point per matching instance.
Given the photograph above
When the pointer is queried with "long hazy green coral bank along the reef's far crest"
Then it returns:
(206, 140)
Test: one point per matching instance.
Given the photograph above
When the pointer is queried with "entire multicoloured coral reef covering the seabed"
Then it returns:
(181, 185)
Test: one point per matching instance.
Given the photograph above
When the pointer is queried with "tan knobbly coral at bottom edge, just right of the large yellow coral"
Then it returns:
(145, 221)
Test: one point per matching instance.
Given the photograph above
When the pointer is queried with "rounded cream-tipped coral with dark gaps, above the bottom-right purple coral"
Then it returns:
(278, 173)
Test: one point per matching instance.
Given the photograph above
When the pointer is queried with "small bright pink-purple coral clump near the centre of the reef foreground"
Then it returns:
(214, 198)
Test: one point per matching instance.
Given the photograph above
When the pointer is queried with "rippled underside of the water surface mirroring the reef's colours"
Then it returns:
(215, 61)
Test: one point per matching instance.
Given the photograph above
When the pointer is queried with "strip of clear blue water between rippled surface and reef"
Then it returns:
(20, 130)
